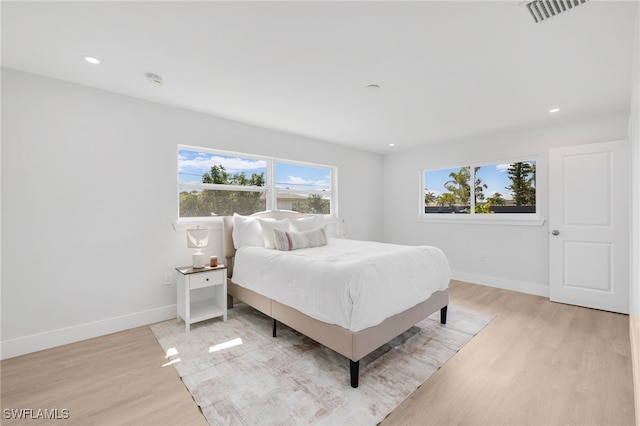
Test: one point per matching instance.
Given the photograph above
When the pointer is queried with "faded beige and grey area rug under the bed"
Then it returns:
(238, 374)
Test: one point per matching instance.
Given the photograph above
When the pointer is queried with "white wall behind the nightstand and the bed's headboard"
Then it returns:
(89, 196)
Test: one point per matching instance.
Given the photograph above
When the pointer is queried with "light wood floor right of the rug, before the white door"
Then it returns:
(536, 363)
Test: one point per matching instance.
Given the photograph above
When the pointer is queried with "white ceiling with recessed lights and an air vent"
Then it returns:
(446, 69)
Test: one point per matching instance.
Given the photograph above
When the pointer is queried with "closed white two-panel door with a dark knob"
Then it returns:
(589, 194)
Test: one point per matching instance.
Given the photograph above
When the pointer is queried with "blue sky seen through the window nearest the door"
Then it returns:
(494, 176)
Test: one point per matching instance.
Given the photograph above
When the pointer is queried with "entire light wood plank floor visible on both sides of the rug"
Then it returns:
(537, 363)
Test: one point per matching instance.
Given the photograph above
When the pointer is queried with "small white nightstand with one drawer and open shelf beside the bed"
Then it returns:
(214, 279)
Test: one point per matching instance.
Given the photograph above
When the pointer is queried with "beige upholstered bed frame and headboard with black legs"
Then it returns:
(353, 345)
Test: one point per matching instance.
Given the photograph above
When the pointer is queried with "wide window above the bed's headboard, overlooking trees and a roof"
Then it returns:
(215, 183)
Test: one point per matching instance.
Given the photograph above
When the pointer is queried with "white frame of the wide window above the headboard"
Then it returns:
(270, 189)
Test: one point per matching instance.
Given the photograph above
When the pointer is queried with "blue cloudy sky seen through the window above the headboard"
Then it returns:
(192, 165)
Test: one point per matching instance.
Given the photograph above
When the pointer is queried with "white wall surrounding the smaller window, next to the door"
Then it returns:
(525, 269)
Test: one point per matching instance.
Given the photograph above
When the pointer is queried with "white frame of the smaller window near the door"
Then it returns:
(522, 219)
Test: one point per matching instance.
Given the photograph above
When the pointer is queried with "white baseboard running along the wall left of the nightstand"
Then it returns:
(36, 342)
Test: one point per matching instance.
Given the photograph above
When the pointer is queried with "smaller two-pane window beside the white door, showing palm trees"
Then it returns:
(497, 189)
